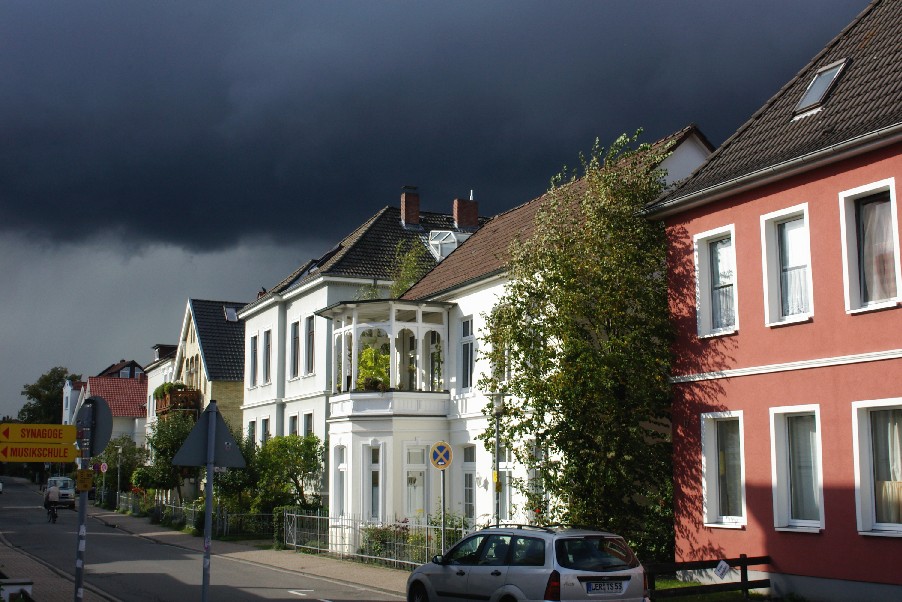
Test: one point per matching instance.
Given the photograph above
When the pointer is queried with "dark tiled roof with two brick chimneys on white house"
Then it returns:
(369, 251)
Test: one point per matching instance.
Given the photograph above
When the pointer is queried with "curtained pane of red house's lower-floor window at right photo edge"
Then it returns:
(886, 445)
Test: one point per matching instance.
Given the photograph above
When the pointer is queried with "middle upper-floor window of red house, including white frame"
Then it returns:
(787, 273)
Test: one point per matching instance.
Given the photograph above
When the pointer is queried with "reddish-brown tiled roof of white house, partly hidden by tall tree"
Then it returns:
(487, 252)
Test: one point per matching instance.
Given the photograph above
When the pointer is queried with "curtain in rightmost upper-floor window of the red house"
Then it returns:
(875, 248)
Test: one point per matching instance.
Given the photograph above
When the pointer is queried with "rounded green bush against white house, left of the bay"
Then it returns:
(290, 471)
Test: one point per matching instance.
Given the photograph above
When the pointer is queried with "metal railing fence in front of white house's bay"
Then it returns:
(402, 543)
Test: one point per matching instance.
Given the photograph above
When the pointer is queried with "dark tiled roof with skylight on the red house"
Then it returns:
(864, 105)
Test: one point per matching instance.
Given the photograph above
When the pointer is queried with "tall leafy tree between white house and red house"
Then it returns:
(583, 332)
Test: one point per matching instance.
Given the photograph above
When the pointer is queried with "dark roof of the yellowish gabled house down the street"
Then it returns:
(221, 342)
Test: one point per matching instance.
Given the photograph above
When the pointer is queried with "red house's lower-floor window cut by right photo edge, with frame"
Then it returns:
(877, 447)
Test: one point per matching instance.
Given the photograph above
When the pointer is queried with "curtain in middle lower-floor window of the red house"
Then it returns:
(803, 487)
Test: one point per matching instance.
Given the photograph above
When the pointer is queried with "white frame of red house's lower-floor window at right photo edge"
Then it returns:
(864, 468)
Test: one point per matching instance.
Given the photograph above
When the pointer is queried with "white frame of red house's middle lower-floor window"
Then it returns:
(780, 469)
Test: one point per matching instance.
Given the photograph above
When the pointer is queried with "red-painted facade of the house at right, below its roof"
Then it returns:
(829, 361)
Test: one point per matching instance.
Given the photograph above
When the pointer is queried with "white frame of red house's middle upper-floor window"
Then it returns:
(770, 259)
